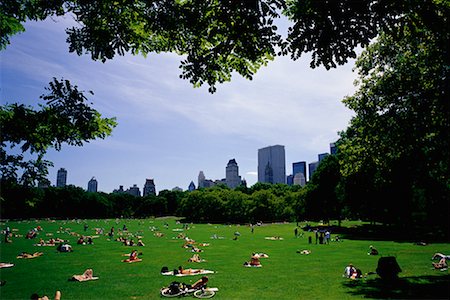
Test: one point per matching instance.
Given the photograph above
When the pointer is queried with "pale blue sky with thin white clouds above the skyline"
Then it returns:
(168, 130)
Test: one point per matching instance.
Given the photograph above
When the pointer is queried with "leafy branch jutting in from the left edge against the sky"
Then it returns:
(66, 117)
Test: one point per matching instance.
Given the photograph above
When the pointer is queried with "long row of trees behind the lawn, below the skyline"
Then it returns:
(328, 196)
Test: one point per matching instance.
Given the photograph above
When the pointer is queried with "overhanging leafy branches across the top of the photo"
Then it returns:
(219, 37)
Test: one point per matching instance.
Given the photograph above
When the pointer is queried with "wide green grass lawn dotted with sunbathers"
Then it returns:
(284, 275)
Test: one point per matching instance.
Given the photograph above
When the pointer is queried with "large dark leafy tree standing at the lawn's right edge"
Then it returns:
(402, 123)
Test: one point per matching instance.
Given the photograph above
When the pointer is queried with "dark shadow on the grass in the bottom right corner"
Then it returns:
(417, 287)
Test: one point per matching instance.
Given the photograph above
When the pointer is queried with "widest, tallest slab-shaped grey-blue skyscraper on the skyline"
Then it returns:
(272, 164)
